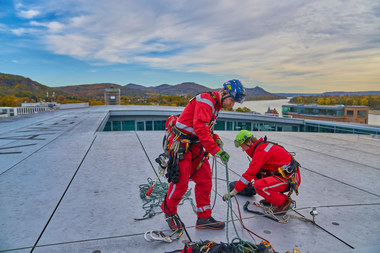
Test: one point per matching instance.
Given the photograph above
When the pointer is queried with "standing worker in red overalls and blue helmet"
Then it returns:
(191, 141)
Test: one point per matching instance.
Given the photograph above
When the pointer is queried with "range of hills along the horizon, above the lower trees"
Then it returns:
(25, 87)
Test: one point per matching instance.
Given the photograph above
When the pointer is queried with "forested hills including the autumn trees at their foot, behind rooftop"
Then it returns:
(16, 89)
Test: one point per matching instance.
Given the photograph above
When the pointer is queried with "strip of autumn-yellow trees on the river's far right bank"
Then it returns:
(372, 101)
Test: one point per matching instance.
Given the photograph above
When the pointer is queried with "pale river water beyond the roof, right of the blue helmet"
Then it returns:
(261, 106)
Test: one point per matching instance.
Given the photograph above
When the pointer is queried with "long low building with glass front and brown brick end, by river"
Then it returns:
(341, 113)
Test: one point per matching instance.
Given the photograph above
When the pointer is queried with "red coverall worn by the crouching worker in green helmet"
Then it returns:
(268, 157)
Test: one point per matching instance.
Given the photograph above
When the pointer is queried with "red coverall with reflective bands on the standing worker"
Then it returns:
(195, 120)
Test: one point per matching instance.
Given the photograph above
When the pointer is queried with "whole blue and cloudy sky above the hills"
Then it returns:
(281, 46)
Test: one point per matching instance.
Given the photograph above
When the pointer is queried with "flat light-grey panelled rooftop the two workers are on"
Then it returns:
(65, 187)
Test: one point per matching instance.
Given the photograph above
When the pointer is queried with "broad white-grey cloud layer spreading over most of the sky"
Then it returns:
(273, 42)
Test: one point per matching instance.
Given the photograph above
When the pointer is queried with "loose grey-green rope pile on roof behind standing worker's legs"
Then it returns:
(157, 196)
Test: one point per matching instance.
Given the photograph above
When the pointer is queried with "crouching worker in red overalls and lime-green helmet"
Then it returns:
(272, 168)
